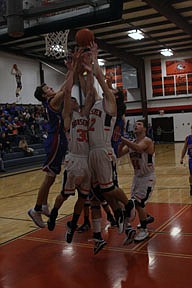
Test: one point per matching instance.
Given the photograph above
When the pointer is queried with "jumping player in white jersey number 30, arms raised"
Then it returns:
(77, 174)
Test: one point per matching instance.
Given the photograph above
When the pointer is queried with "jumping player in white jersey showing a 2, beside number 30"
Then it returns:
(102, 118)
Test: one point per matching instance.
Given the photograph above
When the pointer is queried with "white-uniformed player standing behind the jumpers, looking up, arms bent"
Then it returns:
(141, 152)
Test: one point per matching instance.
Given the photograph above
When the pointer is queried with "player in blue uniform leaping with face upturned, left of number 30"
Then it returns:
(55, 144)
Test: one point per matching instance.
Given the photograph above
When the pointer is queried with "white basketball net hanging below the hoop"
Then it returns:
(56, 44)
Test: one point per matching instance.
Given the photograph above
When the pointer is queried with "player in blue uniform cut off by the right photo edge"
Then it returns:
(188, 148)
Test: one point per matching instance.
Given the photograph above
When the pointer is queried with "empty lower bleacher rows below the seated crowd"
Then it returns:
(18, 161)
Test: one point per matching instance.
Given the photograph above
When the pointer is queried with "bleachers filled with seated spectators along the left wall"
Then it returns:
(17, 121)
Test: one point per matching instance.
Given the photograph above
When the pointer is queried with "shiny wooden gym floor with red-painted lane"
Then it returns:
(32, 257)
